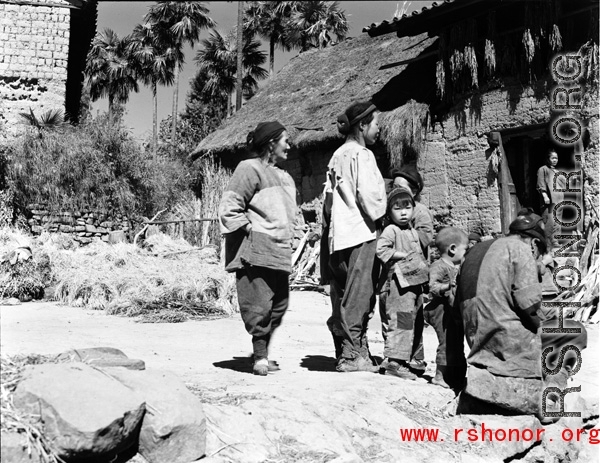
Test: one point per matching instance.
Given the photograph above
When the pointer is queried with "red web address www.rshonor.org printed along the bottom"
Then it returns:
(485, 434)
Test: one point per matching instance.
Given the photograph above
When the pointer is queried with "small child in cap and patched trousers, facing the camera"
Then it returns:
(405, 272)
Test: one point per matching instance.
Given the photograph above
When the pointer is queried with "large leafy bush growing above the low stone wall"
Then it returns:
(96, 164)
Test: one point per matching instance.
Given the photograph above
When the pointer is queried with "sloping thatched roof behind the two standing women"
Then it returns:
(309, 93)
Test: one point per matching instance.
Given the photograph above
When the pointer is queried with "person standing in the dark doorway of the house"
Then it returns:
(551, 188)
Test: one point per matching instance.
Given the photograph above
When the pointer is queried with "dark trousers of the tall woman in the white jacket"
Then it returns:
(353, 277)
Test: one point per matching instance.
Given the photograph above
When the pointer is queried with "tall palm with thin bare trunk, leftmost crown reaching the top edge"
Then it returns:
(184, 21)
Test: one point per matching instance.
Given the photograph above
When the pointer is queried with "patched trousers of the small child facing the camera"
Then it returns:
(402, 322)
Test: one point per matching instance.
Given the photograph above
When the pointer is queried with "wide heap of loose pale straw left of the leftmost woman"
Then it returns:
(180, 282)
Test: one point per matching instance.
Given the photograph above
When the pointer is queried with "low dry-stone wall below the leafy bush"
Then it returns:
(84, 225)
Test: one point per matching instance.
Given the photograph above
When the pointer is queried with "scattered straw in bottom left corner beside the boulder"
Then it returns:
(13, 420)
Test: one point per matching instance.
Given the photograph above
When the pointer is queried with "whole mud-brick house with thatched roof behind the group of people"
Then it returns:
(466, 87)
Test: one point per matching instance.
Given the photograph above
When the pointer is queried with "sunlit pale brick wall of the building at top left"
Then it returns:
(34, 49)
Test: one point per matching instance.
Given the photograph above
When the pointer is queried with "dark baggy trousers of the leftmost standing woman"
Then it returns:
(263, 296)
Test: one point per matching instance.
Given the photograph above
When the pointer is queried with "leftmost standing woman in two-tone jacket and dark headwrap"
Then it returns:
(257, 214)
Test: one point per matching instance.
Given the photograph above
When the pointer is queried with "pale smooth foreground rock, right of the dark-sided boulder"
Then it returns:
(174, 427)
